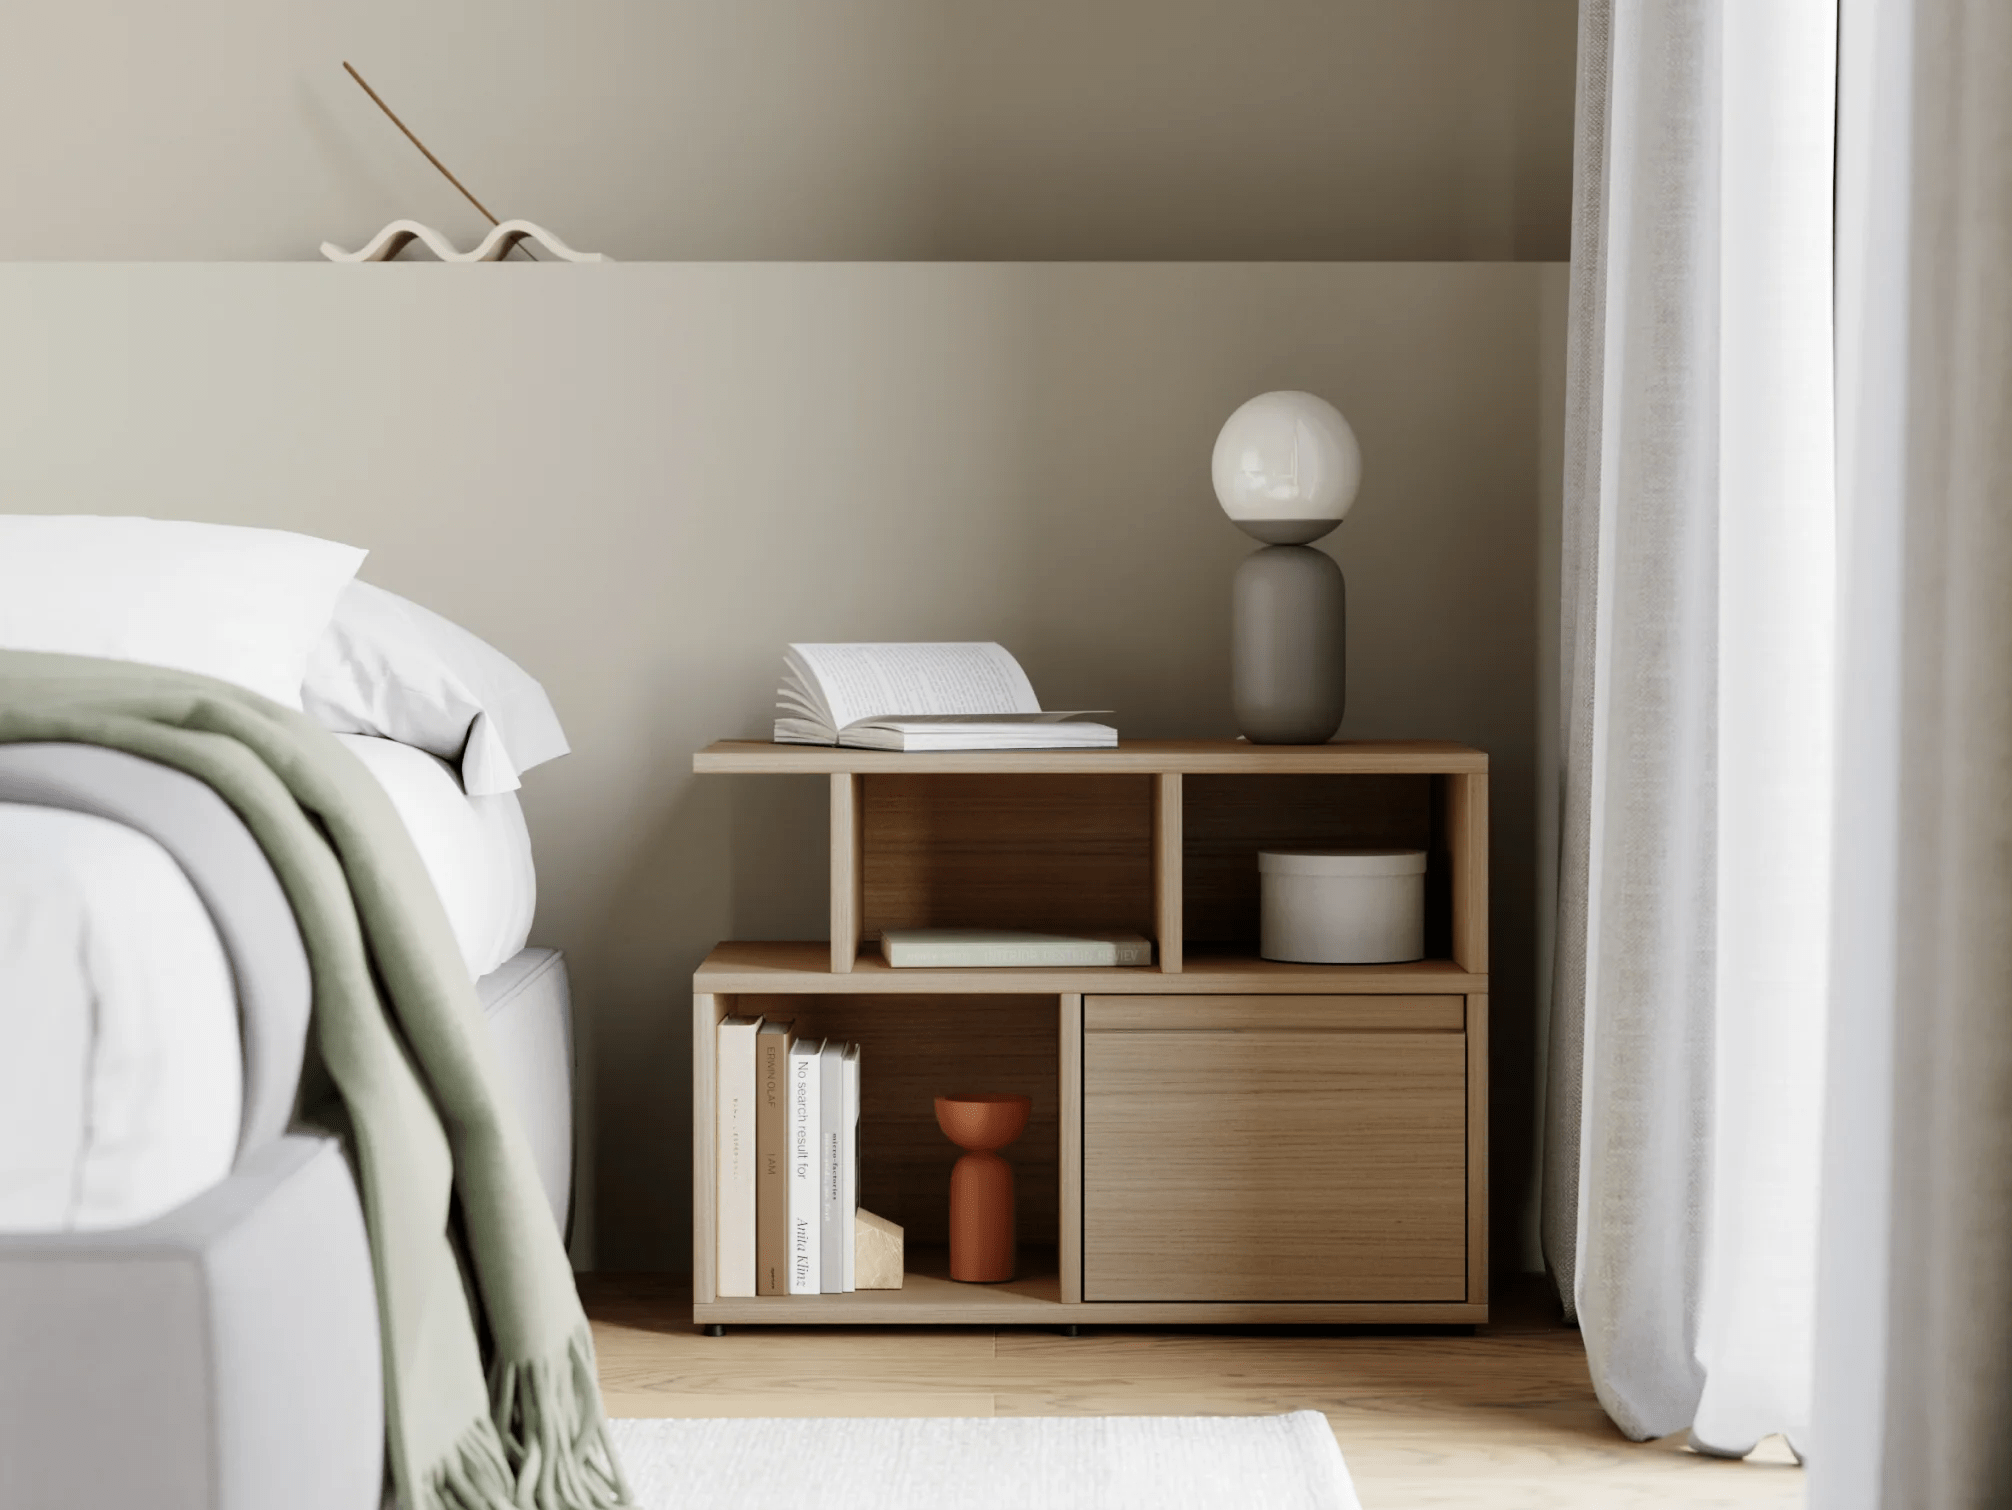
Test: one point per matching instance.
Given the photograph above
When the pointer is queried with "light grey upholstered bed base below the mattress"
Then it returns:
(226, 1356)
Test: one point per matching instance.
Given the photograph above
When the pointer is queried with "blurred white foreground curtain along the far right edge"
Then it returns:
(1914, 1398)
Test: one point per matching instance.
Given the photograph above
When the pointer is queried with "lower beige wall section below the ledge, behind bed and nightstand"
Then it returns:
(645, 480)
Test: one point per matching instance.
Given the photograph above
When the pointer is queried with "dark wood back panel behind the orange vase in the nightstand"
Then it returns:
(918, 1048)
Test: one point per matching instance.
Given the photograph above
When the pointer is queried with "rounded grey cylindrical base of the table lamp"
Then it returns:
(1289, 645)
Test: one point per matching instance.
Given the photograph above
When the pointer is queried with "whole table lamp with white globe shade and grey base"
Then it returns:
(1287, 468)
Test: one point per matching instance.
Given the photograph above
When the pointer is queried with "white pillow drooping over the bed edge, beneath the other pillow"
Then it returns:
(389, 667)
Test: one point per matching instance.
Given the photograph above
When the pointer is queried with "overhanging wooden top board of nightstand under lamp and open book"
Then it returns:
(1132, 756)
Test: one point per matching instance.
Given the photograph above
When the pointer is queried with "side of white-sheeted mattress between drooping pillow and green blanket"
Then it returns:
(476, 849)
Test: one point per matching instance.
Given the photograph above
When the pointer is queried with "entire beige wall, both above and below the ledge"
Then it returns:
(643, 480)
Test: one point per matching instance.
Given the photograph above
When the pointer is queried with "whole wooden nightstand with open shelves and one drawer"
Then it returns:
(1216, 1139)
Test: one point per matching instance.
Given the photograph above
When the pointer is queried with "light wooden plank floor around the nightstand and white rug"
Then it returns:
(1500, 1420)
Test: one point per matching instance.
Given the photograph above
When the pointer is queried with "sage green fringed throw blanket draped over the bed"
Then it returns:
(401, 1036)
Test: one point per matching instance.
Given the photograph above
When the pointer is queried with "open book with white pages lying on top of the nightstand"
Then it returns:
(920, 698)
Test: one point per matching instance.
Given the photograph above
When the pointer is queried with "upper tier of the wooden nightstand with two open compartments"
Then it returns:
(1168, 853)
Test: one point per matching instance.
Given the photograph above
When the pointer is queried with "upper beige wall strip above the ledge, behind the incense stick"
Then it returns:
(224, 130)
